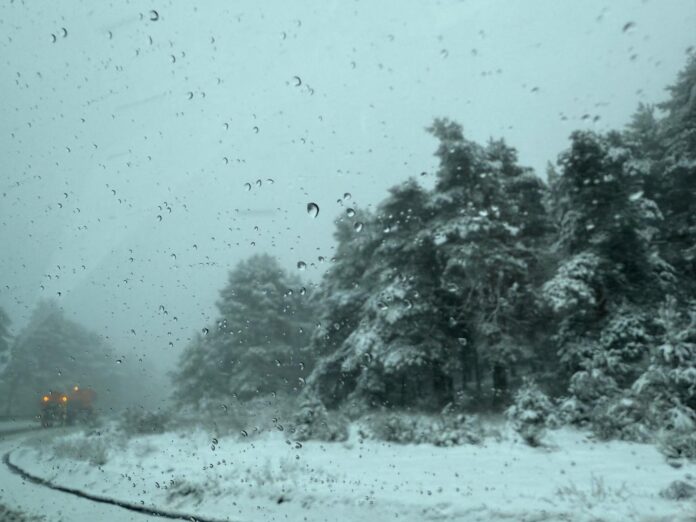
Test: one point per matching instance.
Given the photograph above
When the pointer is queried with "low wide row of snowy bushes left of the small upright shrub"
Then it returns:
(408, 428)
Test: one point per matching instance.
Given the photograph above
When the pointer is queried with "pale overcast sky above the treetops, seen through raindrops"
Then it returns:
(126, 143)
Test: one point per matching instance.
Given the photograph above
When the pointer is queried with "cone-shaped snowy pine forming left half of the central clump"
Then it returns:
(395, 355)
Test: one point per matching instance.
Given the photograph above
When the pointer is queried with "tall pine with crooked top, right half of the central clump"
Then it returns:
(491, 228)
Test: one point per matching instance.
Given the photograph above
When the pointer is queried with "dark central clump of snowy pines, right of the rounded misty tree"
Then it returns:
(441, 289)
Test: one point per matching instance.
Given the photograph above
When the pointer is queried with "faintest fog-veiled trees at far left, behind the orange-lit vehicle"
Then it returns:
(53, 352)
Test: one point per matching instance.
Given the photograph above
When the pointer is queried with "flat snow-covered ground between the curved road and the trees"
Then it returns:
(270, 478)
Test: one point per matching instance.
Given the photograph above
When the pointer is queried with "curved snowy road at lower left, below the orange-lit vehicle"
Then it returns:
(34, 500)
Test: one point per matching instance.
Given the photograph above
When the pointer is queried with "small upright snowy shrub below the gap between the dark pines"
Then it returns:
(529, 413)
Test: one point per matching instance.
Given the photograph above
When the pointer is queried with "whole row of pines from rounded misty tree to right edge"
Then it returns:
(583, 286)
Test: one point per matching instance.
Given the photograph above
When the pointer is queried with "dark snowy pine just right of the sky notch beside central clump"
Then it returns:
(609, 274)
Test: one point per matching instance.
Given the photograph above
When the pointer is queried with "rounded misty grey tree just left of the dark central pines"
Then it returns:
(259, 343)
